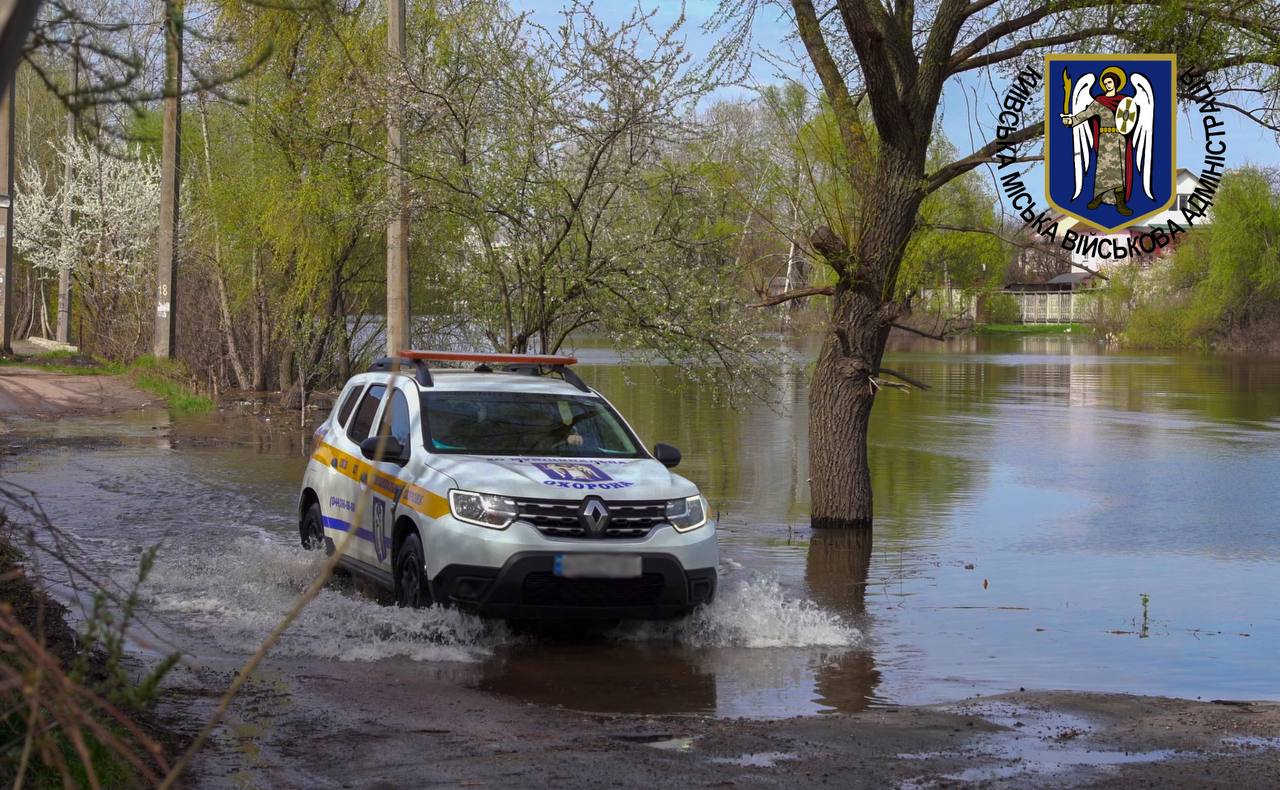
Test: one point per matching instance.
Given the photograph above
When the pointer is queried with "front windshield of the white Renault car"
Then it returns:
(524, 424)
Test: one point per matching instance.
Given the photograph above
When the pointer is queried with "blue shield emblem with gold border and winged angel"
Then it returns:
(1110, 153)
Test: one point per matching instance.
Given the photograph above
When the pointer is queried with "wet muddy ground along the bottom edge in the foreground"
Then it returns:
(309, 724)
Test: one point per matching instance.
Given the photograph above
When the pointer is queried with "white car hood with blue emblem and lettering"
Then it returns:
(556, 478)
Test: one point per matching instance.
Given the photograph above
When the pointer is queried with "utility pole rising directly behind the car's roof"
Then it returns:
(397, 229)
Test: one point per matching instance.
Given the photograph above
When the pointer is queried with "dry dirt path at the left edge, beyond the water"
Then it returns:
(31, 392)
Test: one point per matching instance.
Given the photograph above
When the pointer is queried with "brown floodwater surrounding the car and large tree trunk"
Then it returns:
(1050, 515)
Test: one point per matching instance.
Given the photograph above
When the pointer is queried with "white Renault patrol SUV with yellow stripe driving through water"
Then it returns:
(511, 490)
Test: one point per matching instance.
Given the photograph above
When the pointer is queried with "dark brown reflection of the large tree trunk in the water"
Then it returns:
(836, 572)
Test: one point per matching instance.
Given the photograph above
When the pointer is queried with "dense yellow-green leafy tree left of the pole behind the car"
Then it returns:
(291, 203)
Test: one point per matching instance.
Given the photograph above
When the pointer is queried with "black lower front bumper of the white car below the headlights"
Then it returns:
(527, 588)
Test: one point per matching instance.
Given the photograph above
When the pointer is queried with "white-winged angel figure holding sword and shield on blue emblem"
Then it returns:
(1113, 129)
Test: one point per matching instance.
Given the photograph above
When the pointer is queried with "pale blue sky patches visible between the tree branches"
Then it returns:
(968, 102)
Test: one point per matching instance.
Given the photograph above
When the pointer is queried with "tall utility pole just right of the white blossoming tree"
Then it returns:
(167, 249)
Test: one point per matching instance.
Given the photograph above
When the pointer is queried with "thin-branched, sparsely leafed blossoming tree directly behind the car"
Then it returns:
(560, 158)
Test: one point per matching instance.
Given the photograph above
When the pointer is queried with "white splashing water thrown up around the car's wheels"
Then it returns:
(240, 593)
